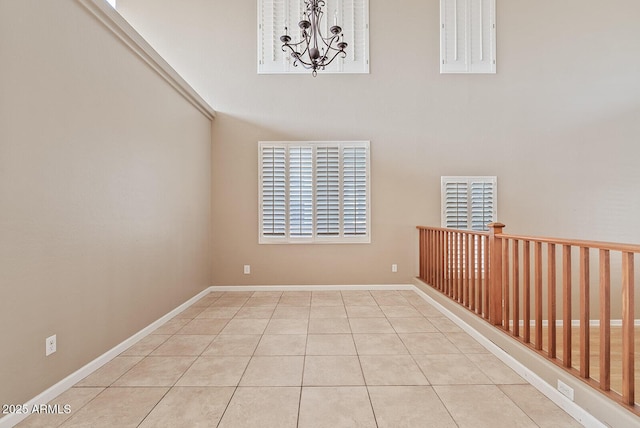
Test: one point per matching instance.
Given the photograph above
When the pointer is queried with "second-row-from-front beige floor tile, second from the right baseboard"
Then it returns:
(450, 369)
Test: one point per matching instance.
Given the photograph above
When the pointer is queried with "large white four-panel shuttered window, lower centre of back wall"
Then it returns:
(314, 192)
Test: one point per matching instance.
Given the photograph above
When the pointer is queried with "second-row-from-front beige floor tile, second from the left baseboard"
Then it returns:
(156, 371)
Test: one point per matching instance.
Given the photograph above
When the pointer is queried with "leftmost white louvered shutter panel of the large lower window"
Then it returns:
(274, 193)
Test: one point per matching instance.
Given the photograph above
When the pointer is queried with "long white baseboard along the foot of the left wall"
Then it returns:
(10, 420)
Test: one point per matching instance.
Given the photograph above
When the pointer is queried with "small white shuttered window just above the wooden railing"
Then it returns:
(469, 202)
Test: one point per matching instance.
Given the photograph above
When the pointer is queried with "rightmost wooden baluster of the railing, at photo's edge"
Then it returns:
(628, 378)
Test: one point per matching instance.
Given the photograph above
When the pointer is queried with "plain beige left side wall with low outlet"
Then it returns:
(105, 200)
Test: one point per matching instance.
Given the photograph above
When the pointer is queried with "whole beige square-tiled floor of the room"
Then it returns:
(306, 359)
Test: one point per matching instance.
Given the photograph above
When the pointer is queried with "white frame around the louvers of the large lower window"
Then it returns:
(315, 238)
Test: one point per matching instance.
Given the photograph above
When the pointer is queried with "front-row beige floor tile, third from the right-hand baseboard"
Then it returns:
(409, 407)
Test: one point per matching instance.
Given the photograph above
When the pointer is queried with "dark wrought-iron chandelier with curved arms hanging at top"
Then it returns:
(315, 51)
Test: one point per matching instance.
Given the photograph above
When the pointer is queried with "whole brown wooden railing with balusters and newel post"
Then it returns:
(539, 291)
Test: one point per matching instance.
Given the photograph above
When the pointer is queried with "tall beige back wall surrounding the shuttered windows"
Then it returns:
(558, 124)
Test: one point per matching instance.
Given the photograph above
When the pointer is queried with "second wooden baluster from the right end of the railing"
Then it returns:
(605, 320)
